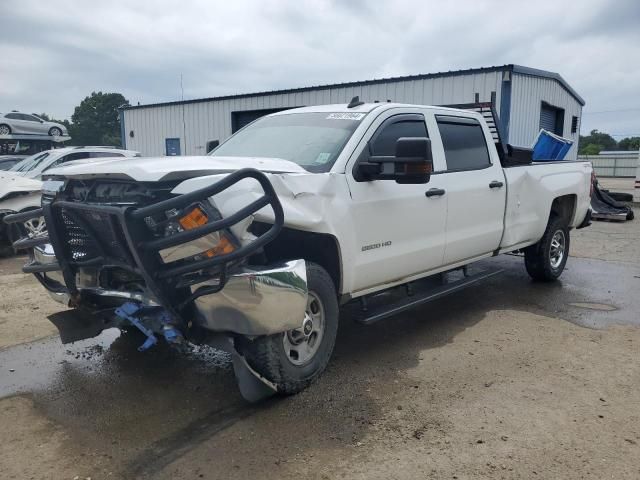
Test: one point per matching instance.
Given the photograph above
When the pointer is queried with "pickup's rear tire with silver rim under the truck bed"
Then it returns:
(546, 260)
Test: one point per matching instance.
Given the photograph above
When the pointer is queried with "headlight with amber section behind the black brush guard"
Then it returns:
(210, 245)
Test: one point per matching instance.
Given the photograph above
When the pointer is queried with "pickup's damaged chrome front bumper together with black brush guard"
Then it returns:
(220, 294)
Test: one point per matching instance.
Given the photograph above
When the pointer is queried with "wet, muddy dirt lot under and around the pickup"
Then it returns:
(509, 379)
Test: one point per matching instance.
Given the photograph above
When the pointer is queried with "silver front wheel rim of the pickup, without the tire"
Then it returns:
(301, 344)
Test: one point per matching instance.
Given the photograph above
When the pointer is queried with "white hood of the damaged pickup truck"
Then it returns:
(155, 169)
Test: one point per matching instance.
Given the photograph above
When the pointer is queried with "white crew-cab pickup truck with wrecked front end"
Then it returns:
(302, 211)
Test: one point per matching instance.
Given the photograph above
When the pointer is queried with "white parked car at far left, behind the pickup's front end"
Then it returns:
(20, 186)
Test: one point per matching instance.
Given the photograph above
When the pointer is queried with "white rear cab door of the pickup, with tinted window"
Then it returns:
(475, 187)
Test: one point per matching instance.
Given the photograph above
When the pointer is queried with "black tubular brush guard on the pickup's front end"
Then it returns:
(118, 236)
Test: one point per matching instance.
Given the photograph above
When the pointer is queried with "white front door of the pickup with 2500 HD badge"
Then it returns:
(398, 230)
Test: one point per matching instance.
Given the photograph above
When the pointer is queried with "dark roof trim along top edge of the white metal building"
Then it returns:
(518, 69)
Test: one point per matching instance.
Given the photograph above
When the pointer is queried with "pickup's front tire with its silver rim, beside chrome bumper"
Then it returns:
(293, 360)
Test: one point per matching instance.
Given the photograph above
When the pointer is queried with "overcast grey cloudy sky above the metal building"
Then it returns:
(55, 54)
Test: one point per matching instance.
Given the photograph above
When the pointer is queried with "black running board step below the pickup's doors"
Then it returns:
(418, 298)
